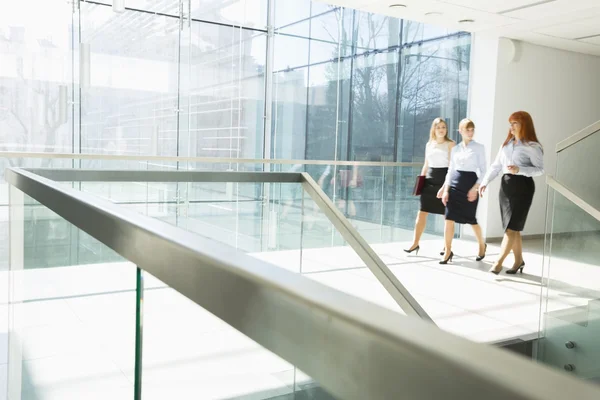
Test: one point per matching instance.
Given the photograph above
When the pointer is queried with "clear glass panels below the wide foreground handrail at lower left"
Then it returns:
(74, 327)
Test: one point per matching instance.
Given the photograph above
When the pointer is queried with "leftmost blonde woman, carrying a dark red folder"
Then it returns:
(437, 159)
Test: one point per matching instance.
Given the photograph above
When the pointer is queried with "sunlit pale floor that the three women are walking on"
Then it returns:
(462, 297)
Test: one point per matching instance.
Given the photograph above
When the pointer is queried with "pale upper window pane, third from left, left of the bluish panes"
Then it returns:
(225, 93)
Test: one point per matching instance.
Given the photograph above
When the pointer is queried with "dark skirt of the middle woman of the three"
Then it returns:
(459, 209)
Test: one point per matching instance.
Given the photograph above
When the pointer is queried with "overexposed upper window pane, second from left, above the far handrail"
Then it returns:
(130, 104)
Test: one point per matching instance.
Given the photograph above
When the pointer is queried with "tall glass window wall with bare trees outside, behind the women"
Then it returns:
(232, 79)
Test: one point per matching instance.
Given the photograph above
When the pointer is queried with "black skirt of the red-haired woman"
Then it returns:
(516, 195)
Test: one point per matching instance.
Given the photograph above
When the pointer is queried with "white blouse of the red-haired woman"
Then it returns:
(529, 157)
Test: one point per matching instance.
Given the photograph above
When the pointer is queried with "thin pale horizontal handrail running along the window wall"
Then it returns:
(207, 160)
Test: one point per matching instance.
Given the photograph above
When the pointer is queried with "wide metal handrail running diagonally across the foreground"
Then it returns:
(354, 349)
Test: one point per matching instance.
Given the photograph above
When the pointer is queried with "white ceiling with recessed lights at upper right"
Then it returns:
(564, 24)
